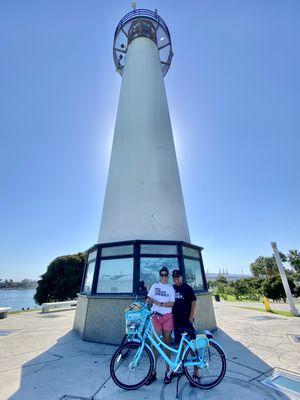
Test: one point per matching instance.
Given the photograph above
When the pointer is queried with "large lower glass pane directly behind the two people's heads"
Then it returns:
(149, 271)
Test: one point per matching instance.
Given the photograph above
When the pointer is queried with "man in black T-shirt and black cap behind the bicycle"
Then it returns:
(184, 311)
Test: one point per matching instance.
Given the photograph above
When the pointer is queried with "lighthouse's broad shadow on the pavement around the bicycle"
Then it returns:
(75, 369)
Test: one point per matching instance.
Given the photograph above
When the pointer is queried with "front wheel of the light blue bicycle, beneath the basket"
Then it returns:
(129, 368)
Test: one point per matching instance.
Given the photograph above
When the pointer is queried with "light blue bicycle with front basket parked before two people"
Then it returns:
(133, 362)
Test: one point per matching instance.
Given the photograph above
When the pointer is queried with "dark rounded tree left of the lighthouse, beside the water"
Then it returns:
(62, 279)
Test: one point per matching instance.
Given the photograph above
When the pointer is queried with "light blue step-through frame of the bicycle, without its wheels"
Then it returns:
(158, 344)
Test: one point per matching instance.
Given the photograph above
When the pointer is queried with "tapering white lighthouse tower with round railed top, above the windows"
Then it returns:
(143, 197)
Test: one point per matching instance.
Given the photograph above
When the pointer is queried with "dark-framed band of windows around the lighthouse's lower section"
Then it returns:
(132, 267)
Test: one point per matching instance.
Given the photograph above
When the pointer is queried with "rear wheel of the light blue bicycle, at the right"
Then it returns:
(208, 364)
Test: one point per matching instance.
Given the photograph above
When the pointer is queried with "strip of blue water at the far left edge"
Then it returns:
(16, 299)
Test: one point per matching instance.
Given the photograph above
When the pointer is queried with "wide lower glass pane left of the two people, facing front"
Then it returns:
(115, 276)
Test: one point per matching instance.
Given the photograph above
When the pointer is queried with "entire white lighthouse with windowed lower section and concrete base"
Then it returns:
(143, 225)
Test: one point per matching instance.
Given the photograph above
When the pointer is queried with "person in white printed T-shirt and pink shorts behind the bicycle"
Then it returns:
(162, 296)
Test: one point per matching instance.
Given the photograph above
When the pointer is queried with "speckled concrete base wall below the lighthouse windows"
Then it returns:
(101, 319)
